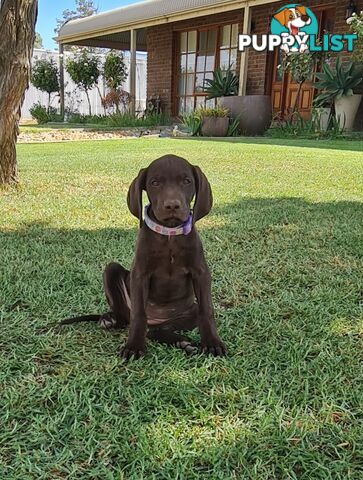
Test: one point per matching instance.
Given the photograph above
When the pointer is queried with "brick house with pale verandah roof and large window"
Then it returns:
(187, 39)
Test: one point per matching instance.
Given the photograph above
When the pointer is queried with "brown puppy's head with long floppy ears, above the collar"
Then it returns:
(171, 183)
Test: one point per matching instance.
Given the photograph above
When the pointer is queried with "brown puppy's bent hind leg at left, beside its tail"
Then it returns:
(116, 287)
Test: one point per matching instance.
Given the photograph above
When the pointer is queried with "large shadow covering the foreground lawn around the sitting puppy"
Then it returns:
(279, 406)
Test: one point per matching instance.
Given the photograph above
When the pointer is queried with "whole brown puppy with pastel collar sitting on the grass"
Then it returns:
(168, 289)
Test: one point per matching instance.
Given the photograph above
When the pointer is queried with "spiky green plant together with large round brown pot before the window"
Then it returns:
(254, 112)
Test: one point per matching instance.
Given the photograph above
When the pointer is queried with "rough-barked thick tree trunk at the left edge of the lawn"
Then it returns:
(17, 34)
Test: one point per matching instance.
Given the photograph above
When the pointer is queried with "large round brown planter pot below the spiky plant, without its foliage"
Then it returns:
(253, 111)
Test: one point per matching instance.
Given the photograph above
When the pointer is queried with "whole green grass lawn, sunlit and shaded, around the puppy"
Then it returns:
(284, 244)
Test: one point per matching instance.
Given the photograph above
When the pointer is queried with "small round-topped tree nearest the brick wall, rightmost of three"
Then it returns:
(115, 73)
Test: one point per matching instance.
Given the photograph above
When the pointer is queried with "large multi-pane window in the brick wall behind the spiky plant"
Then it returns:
(200, 53)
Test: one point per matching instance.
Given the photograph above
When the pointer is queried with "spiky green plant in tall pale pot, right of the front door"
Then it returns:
(337, 85)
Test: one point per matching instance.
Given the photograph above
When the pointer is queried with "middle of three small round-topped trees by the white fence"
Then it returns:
(84, 72)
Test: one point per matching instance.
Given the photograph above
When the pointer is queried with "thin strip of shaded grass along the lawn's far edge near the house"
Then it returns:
(350, 144)
